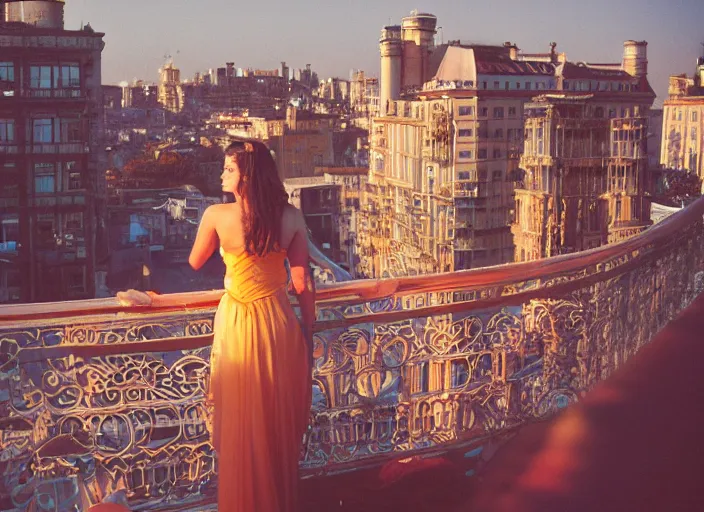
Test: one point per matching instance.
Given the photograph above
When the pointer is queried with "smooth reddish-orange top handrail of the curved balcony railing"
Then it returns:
(376, 289)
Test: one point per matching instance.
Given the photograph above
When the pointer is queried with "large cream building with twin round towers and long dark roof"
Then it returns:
(445, 151)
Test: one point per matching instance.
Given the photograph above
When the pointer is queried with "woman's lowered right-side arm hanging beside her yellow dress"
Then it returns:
(301, 278)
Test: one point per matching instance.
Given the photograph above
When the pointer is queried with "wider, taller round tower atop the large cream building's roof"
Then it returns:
(418, 34)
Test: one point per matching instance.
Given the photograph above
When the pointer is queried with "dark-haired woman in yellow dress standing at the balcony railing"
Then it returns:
(260, 382)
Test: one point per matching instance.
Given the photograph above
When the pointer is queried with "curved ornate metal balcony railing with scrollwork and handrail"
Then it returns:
(95, 397)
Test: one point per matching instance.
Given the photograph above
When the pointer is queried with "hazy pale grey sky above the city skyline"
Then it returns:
(338, 35)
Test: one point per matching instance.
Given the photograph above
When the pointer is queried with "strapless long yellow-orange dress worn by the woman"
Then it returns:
(260, 387)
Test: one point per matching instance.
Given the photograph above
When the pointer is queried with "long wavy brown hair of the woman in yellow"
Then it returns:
(263, 195)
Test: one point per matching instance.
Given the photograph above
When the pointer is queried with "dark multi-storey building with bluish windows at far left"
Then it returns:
(52, 166)
